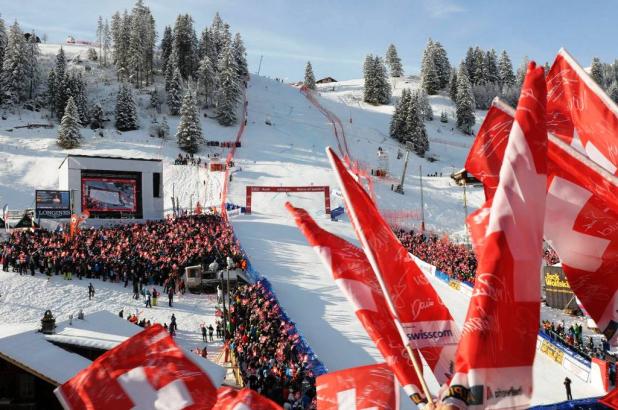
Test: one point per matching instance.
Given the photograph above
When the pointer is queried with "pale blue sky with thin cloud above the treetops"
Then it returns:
(336, 35)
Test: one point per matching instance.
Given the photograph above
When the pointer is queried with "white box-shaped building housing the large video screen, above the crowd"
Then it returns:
(113, 187)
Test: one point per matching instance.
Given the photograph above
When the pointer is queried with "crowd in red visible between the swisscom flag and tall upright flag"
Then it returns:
(456, 260)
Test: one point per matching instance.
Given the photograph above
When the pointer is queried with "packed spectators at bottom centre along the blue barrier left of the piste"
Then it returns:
(269, 350)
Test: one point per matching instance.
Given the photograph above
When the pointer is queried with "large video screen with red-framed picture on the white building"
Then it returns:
(109, 194)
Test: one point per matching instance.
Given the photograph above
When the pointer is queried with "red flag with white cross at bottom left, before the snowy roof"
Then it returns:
(147, 371)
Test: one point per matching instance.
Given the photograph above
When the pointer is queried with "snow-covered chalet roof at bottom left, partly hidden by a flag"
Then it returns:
(34, 352)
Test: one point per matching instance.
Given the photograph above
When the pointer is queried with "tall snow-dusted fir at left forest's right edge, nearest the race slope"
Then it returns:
(229, 88)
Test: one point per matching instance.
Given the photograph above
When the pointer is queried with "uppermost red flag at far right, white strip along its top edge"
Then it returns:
(580, 113)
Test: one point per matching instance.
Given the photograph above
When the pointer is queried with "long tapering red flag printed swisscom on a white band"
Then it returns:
(421, 317)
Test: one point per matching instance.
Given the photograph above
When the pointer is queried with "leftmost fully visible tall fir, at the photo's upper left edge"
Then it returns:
(15, 67)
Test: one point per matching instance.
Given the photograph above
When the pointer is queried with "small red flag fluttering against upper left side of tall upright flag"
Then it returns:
(487, 151)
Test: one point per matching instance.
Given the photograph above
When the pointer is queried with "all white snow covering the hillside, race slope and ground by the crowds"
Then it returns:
(288, 152)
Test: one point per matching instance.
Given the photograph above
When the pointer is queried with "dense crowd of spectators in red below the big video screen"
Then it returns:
(154, 252)
